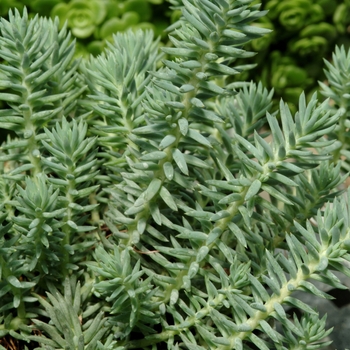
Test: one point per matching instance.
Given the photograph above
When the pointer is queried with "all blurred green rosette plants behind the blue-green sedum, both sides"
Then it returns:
(303, 33)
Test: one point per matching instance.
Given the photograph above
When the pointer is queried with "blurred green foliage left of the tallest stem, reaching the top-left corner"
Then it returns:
(94, 22)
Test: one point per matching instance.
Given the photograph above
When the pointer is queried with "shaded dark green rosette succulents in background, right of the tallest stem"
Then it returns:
(304, 31)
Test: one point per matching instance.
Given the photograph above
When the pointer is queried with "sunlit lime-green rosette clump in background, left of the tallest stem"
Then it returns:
(96, 21)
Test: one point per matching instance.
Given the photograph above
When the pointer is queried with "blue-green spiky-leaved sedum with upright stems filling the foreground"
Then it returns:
(147, 203)
